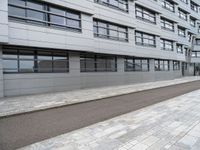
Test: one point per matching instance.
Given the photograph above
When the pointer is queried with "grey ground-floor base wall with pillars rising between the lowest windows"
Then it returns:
(32, 83)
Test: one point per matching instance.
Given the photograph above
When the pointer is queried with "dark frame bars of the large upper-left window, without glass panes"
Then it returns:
(47, 13)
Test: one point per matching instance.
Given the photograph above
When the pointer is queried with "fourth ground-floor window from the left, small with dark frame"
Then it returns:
(162, 65)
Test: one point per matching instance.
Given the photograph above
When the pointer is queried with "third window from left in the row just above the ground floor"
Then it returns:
(145, 39)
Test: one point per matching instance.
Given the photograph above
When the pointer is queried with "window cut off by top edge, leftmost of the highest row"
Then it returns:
(117, 4)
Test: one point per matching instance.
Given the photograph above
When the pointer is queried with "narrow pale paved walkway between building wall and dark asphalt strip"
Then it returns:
(23, 104)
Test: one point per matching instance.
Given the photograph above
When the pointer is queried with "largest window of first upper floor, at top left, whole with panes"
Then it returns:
(37, 12)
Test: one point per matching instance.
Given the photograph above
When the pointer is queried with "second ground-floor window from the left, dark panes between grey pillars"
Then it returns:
(98, 63)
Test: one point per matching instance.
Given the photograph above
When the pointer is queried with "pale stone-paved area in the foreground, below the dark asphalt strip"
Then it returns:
(169, 125)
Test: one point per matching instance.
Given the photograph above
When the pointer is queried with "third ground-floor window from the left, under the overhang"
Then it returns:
(136, 64)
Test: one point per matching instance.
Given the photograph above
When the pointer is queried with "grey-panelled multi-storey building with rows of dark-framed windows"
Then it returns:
(60, 45)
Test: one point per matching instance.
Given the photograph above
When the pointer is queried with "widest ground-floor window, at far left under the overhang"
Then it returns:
(26, 60)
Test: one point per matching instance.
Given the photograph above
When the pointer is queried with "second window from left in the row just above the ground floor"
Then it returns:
(110, 31)
